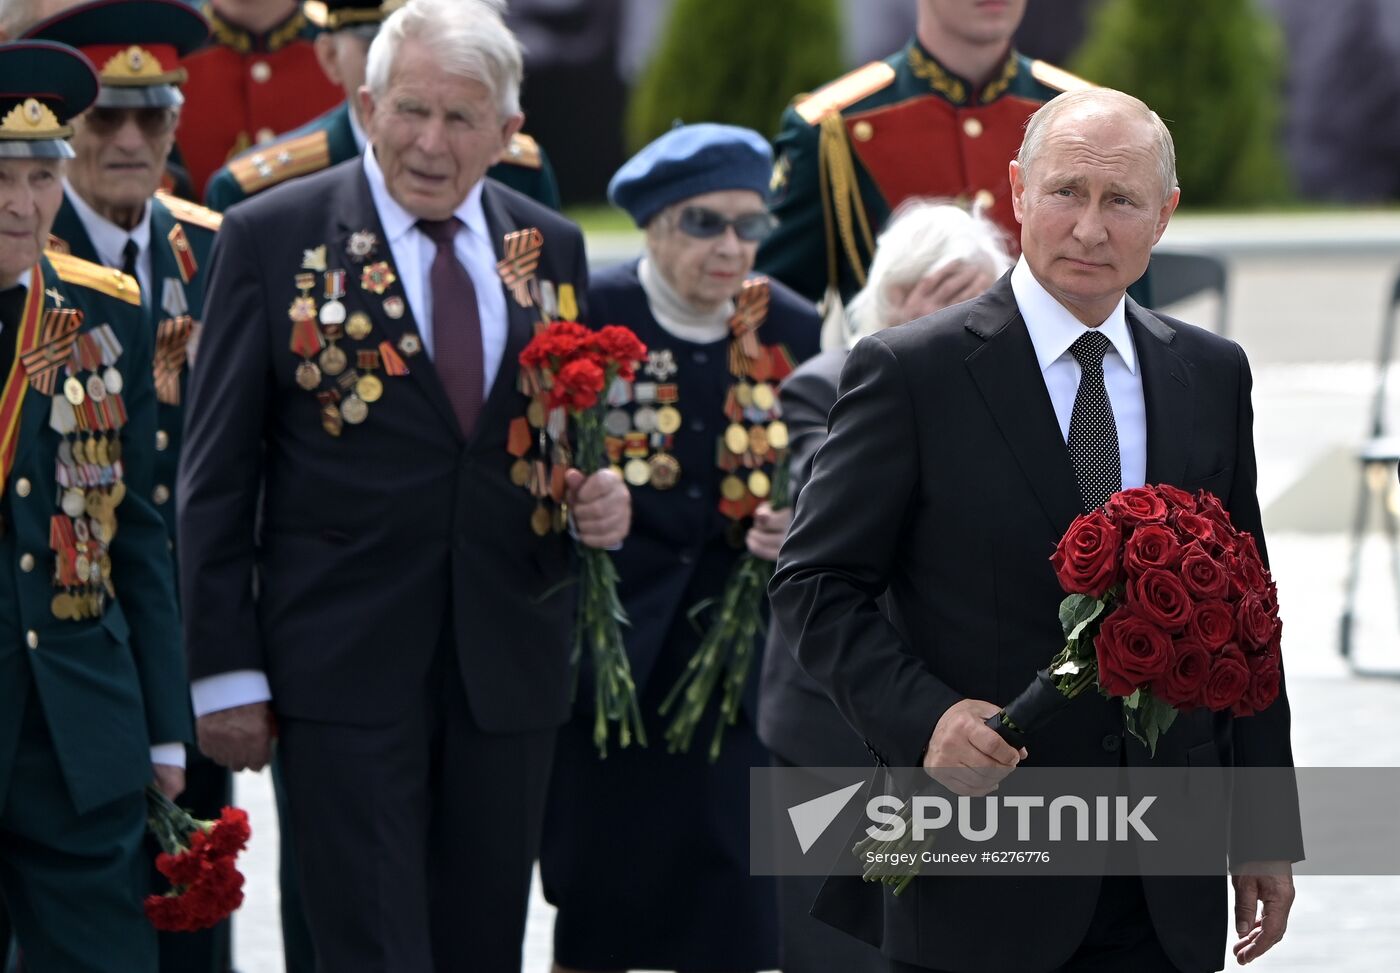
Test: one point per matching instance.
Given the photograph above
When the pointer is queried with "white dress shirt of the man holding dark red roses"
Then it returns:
(1053, 330)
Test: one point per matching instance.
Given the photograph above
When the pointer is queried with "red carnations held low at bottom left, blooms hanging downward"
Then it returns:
(199, 860)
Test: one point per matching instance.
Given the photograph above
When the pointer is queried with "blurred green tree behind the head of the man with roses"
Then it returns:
(1213, 71)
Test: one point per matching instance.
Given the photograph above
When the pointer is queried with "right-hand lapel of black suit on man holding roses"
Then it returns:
(1167, 394)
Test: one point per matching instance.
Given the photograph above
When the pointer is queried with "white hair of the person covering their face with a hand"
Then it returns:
(923, 236)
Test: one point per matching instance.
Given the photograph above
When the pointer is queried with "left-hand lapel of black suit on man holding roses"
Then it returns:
(1009, 376)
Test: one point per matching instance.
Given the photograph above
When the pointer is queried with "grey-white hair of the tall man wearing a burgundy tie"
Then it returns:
(467, 38)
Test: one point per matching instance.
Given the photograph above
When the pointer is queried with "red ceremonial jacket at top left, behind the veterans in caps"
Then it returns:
(247, 89)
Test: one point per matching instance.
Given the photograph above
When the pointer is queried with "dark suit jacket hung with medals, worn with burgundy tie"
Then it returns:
(379, 544)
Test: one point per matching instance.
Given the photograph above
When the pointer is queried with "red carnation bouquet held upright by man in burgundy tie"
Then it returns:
(572, 367)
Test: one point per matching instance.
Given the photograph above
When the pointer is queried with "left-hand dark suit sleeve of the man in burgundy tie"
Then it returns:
(222, 463)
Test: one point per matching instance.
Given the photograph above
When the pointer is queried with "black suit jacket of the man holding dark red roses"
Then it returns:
(944, 486)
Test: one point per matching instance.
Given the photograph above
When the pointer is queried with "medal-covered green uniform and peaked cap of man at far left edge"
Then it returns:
(92, 671)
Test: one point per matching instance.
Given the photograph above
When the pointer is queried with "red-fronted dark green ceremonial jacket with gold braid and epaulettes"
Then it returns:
(905, 127)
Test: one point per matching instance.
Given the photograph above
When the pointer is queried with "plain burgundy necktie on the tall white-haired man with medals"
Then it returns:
(457, 325)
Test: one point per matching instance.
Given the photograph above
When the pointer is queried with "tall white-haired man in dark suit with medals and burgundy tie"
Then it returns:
(409, 633)
